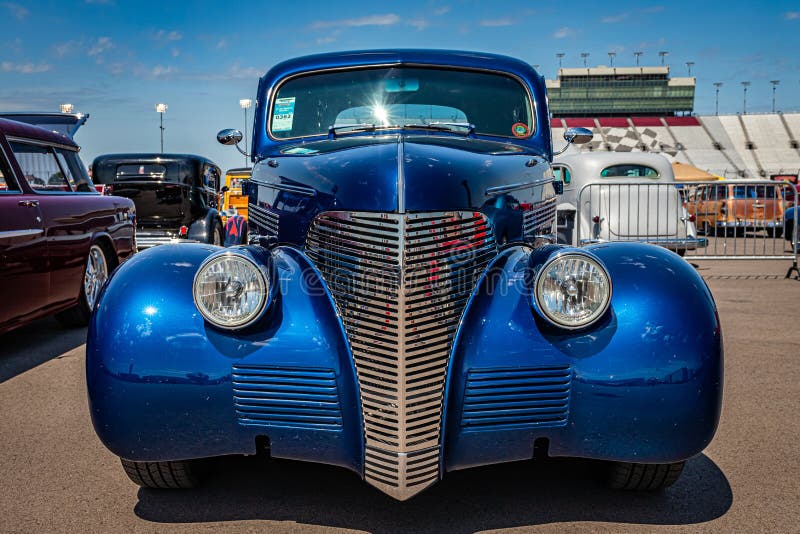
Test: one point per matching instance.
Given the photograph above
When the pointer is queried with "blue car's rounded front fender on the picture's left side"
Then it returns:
(164, 384)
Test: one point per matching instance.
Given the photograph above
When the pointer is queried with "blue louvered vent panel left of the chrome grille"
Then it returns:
(286, 397)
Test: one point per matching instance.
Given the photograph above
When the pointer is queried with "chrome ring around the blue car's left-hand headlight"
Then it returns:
(264, 281)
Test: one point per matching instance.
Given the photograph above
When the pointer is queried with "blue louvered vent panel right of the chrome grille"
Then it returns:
(506, 398)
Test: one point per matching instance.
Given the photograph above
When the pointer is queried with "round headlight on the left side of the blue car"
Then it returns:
(230, 290)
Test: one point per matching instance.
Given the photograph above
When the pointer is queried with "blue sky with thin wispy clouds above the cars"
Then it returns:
(116, 59)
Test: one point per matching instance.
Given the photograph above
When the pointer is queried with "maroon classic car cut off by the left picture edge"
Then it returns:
(59, 238)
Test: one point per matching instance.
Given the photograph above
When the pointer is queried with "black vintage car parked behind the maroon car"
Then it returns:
(176, 195)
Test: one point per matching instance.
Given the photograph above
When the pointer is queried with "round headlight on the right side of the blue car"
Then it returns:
(572, 290)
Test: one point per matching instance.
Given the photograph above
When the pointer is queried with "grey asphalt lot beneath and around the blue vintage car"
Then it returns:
(57, 477)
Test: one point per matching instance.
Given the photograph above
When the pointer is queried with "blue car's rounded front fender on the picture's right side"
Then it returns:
(644, 384)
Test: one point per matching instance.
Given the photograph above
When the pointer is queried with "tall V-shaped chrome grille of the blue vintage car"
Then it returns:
(400, 283)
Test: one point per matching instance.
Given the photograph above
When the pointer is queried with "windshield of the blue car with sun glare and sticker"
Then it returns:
(401, 96)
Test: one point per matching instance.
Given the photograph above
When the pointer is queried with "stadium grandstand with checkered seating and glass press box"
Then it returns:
(651, 113)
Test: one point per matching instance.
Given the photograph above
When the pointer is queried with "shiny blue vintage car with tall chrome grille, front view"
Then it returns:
(375, 322)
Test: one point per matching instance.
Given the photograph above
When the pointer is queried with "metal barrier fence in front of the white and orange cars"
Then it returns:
(700, 220)
